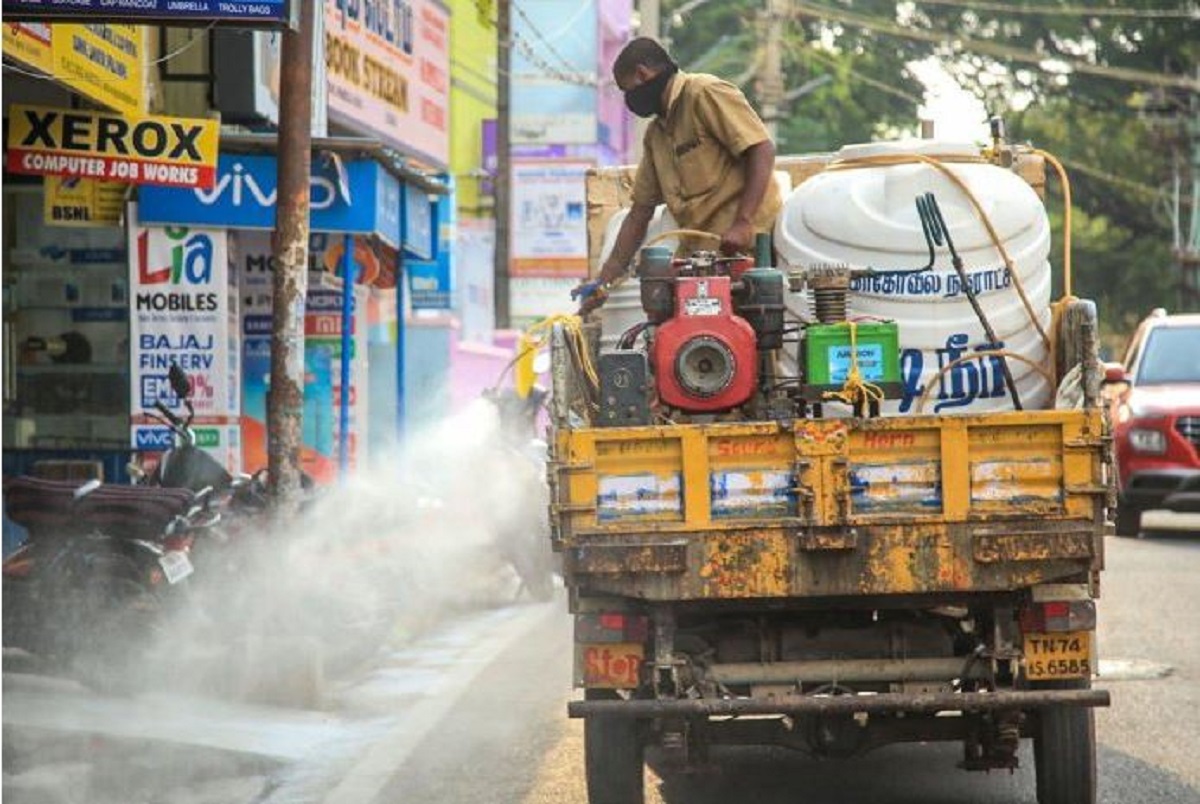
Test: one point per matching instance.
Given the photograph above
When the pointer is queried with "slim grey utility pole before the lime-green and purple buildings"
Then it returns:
(503, 183)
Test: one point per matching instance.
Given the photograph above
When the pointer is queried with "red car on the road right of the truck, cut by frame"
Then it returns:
(1156, 419)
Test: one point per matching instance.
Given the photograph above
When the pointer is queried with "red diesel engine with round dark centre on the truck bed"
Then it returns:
(705, 358)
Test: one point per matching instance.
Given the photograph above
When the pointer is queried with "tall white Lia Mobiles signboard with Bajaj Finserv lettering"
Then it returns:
(182, 311)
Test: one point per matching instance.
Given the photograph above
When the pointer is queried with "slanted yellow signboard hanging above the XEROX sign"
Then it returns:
(104, 63)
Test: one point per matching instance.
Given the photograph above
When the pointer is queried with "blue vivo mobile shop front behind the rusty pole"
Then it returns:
(352, 357)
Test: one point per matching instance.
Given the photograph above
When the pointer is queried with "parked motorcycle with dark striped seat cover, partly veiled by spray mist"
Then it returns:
(87, 592)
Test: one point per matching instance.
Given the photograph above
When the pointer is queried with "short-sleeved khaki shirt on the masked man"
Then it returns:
(693, 158)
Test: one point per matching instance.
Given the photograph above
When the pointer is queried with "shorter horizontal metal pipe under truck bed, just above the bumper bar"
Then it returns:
(848, 670)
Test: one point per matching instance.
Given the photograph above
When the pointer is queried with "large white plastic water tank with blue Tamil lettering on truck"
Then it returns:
(867, 218)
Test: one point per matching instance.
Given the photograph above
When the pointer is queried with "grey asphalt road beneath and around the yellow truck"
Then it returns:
(475, 713)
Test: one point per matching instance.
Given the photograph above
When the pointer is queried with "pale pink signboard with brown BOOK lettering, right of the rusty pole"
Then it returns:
(388, 64)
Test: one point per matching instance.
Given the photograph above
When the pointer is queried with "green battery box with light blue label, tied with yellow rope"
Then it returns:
(827, 352)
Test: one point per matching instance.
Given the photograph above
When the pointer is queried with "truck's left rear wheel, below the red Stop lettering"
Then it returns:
(613, 752)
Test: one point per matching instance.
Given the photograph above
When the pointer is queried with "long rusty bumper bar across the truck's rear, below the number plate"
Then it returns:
(841, 705)
